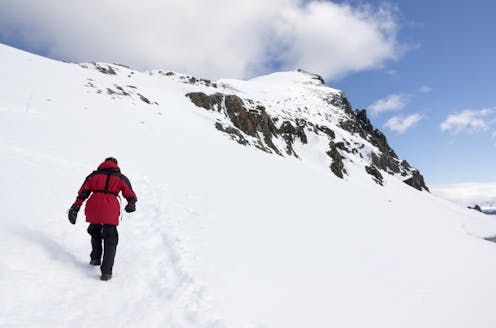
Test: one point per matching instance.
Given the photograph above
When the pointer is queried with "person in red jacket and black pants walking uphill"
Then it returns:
(103, 210)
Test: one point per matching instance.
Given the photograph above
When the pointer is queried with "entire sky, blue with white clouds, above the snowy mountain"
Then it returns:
(424, 70)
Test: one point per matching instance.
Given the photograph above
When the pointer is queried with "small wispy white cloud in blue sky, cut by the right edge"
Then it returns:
(470, 121)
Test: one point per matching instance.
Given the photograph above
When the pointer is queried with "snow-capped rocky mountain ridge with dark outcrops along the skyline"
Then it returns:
(284, 113)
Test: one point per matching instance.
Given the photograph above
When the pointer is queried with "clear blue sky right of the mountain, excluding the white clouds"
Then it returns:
(455, 57)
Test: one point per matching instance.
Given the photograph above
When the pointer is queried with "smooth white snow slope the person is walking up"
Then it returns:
(224, 235)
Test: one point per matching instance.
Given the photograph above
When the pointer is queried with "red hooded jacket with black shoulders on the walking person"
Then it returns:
(104, 186)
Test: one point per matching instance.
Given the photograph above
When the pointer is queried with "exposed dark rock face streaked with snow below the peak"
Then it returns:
(248, 123)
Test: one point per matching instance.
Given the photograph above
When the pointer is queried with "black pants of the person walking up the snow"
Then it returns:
(107, 233)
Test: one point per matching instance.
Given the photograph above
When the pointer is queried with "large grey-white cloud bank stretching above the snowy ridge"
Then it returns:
(215, 38)
